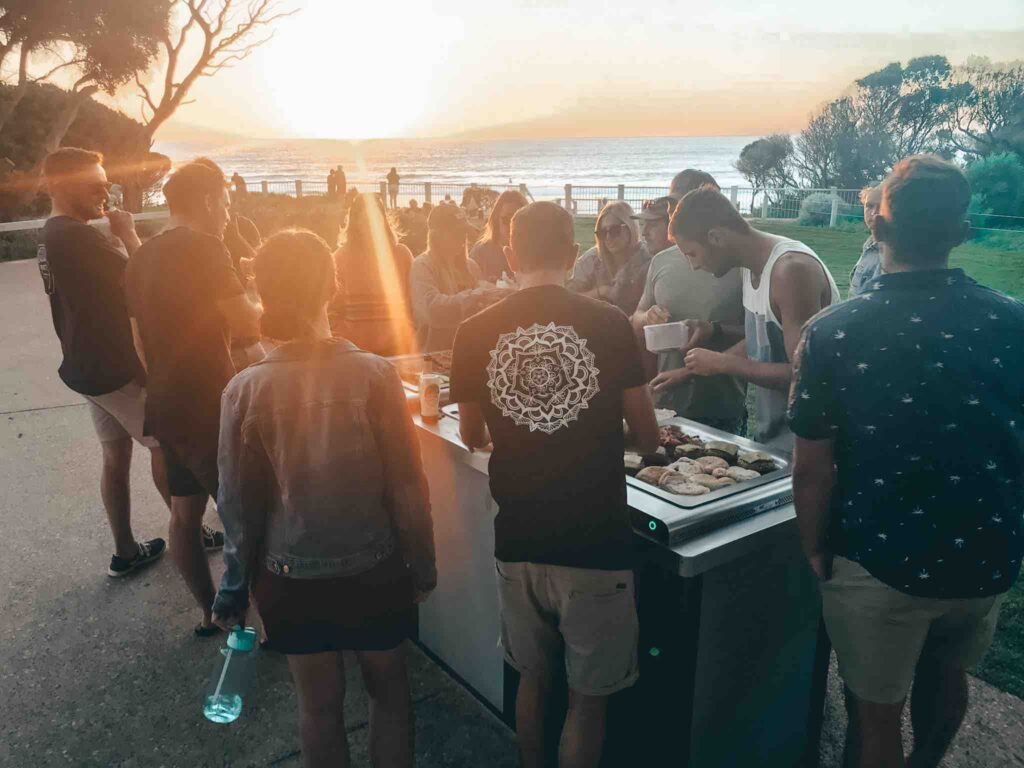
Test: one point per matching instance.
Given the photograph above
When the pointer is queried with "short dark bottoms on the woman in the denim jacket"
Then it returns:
(373, 611)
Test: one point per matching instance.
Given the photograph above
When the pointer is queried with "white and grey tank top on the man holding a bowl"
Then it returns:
(765, 344)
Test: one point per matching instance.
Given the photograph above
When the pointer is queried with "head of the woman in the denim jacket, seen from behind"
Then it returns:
(295, 276)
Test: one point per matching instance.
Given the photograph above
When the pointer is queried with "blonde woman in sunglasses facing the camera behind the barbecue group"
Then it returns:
(615, 270)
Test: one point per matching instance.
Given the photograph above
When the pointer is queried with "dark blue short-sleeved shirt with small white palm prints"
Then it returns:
(920, 380)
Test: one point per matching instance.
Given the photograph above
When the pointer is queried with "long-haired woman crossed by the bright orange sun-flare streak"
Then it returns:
(372, 308)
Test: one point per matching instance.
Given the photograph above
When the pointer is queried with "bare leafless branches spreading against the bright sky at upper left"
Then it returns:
(228, 31)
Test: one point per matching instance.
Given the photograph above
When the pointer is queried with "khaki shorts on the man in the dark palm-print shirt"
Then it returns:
(880, 633)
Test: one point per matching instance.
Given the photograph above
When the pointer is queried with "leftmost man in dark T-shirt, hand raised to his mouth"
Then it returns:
(83, 276)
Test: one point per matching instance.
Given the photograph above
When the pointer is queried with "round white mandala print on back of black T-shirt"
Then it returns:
(543, 377)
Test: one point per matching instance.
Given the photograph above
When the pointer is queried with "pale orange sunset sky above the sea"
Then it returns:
(577, 68)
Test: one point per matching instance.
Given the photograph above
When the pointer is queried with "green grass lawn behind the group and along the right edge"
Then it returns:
(1004, 271)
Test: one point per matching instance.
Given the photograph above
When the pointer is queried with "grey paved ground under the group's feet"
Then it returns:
(97, 672)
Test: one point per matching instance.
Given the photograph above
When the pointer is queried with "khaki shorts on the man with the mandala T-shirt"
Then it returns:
(589, 615)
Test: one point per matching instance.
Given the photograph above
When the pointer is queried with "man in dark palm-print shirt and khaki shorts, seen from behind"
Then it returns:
(908, 409)
